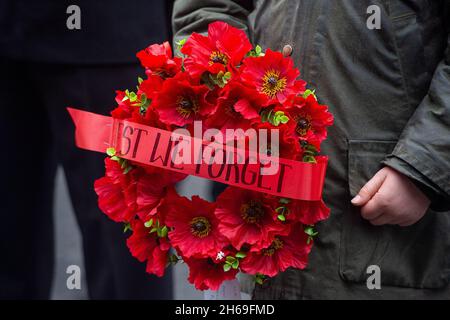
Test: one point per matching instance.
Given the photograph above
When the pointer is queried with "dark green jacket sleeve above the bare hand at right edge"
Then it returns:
(423, 150)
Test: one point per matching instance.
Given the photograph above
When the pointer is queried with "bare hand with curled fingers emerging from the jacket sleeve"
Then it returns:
(391, 198)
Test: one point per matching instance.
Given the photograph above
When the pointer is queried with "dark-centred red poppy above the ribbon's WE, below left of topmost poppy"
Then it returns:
(180, 102)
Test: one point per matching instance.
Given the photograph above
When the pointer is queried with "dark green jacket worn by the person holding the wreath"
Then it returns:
(389, 90)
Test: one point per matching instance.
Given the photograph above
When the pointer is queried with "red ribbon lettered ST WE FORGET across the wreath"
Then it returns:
(152, 146)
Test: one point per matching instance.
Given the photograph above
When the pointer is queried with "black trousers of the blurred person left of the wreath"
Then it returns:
(36, 136)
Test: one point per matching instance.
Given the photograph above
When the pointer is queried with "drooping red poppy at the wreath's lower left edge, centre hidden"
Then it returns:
(146, 246)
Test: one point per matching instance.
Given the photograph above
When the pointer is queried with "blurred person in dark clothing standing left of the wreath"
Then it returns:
(45, 67)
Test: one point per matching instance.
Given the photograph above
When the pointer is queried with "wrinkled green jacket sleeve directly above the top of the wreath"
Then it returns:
(194, 15)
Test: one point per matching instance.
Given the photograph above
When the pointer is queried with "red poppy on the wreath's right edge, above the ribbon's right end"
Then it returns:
(311, 119)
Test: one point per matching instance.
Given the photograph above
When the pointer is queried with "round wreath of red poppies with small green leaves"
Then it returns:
(223, 82)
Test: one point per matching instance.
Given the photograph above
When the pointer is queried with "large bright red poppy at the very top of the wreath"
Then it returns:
(224, 47)
